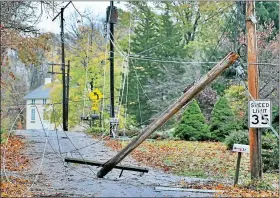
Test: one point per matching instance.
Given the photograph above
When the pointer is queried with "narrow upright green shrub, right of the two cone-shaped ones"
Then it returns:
(222, 120)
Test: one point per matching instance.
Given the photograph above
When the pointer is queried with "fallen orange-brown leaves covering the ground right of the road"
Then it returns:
(207, 159)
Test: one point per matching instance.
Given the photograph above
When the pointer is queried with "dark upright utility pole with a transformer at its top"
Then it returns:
(112, 19)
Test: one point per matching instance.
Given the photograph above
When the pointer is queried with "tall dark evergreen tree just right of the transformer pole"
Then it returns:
(144, 38)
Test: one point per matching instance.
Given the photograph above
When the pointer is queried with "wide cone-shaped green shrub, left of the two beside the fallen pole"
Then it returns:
(192, 125)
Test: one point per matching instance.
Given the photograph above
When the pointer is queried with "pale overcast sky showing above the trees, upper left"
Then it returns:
(98, 8)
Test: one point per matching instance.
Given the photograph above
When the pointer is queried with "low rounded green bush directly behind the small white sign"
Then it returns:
(236, 137)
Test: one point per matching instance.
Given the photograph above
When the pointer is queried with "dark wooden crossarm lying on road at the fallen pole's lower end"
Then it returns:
(95, 163)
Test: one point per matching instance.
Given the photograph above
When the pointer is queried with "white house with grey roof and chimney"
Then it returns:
(39, 98)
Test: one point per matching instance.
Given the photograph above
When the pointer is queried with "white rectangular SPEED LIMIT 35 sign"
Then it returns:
(260, 114)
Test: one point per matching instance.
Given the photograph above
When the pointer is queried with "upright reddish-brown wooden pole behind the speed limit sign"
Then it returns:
(253, 85)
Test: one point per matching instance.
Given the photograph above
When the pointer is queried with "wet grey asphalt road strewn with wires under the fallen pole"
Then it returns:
(74, 180)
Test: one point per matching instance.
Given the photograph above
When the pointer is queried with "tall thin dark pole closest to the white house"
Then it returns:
(64, 91)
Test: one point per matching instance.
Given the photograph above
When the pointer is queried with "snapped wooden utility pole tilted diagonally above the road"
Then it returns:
(168, 113)
